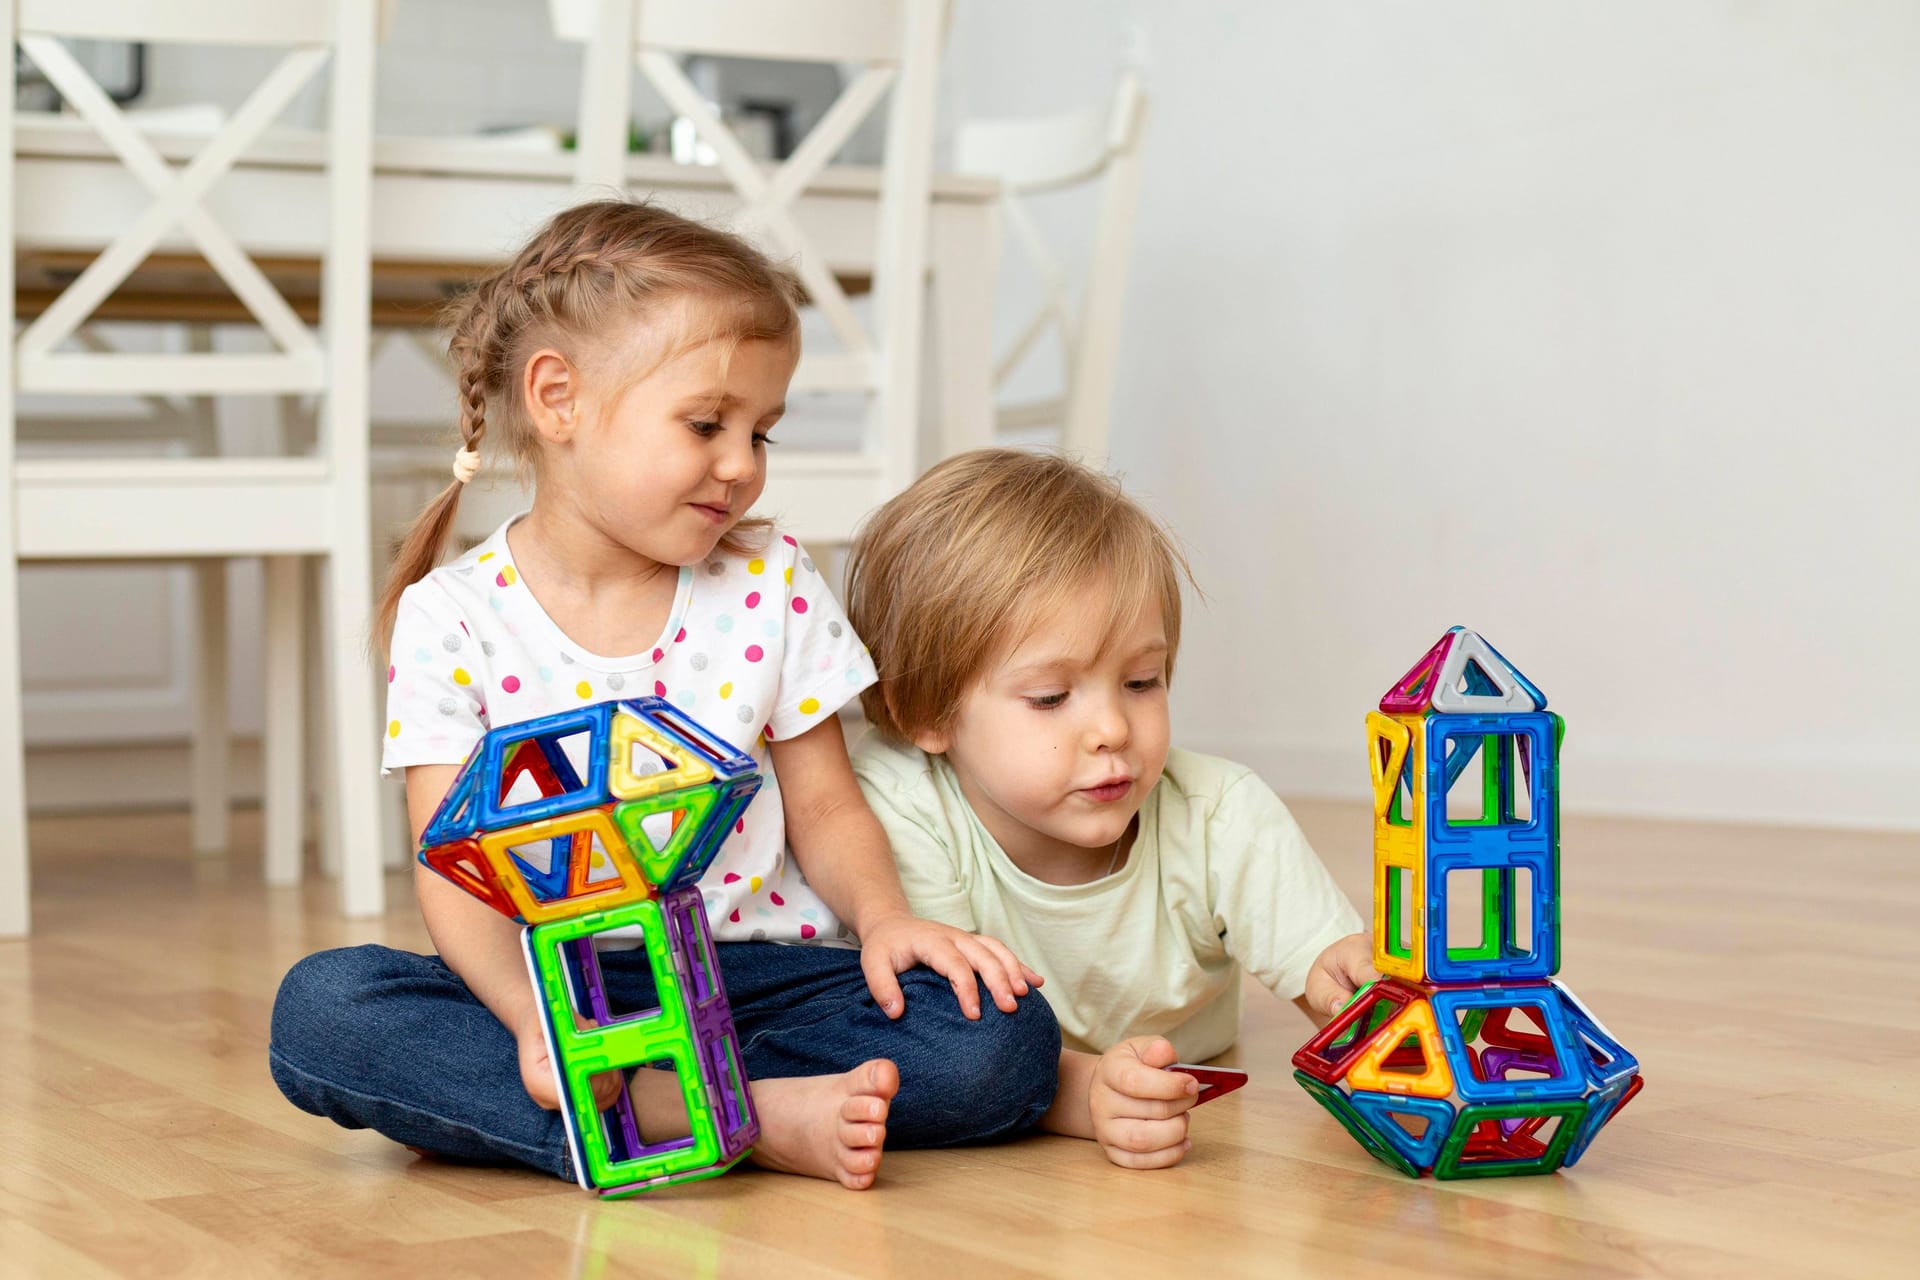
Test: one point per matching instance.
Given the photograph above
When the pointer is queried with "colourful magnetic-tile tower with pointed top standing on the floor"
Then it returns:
(1468, 1060)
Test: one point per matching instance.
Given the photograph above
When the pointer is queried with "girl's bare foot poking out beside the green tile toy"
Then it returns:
(827, 1126)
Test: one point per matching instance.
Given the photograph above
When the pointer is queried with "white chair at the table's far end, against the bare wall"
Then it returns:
(1053, 154)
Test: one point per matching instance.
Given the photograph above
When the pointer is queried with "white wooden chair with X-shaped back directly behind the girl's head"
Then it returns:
(894, 51)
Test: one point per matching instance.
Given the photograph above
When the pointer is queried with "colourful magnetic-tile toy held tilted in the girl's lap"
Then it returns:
(596, 820)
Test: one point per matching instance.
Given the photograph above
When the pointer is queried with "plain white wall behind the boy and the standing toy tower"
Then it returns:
(1589, 325)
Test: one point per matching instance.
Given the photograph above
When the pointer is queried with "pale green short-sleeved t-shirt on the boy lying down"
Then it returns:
(1220, 880)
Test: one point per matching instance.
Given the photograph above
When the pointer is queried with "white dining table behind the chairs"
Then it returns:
(473, 201)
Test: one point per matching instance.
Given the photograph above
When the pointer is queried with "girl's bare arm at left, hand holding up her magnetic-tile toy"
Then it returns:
(483, 947)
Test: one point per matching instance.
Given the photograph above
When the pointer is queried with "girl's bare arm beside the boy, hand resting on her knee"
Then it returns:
(844, 853)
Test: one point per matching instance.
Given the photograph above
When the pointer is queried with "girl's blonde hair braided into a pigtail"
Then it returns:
(587, 277)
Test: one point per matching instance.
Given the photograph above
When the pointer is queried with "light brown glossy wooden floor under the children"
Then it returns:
(1767, 980)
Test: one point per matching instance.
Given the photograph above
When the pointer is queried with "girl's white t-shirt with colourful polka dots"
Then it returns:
(756, 648)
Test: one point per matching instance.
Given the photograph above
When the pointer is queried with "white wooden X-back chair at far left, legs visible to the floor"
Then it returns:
(212, 508)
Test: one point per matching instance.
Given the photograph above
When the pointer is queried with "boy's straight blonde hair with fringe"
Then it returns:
(959, 569)
